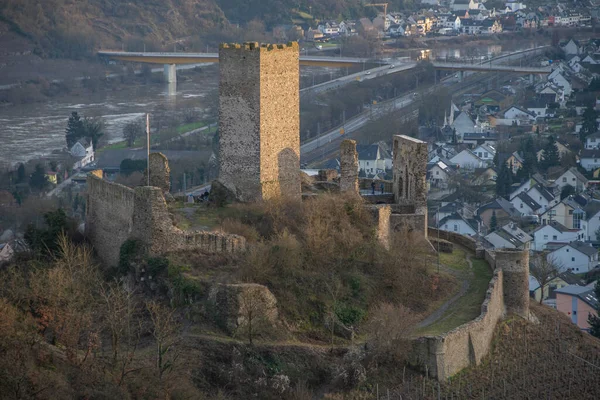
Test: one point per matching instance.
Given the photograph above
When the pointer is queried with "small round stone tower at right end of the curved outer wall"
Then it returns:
(514, 264)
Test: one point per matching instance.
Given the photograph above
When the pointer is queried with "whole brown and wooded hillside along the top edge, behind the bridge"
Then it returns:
(71, 29)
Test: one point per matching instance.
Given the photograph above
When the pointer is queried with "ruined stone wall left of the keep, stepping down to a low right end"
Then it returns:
(116, 213)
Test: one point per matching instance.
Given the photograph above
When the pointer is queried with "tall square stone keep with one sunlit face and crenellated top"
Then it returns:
(259, 120)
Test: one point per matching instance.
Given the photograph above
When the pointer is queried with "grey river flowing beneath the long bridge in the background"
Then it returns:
(33, 130)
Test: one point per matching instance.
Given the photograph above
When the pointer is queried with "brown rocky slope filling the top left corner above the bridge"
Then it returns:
(71, 29)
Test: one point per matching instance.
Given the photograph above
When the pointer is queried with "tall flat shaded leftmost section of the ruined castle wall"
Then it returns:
(109, 214)
